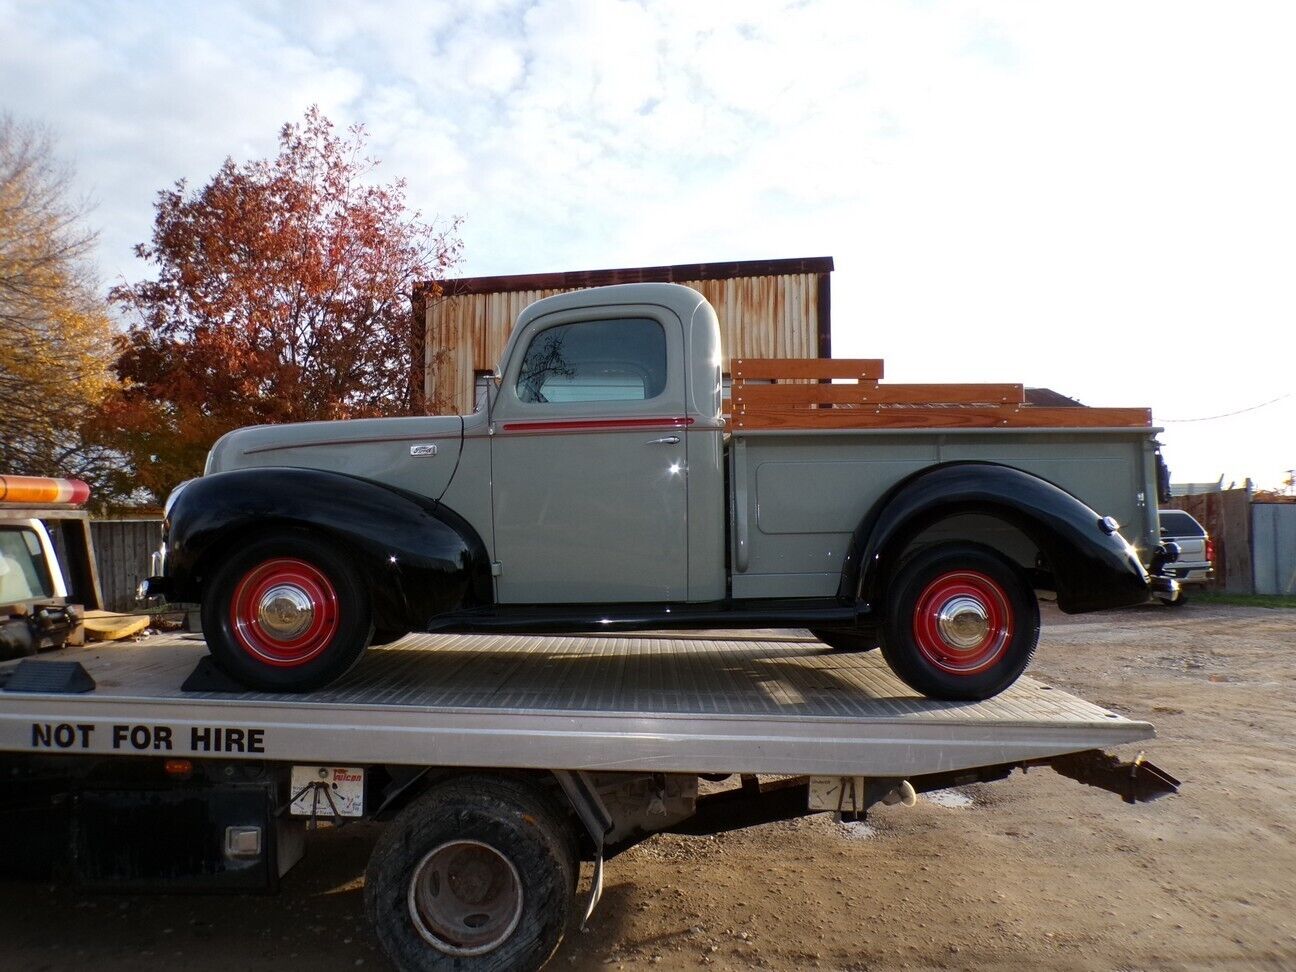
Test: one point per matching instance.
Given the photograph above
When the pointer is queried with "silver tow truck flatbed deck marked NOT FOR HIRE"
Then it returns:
(777, 703)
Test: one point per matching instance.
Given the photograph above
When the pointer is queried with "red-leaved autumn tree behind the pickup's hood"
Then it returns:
(282, 294)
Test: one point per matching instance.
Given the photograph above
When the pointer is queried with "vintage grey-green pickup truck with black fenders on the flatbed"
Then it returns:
(610, 483)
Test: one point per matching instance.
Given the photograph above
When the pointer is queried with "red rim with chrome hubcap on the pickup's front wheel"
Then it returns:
(284, 612)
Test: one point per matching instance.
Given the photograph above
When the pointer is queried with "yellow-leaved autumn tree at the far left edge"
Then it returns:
(55, 331)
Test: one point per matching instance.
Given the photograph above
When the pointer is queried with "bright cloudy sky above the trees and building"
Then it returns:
(1100, 198)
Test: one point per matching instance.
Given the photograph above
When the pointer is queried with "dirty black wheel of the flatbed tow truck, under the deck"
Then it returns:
(410, 887)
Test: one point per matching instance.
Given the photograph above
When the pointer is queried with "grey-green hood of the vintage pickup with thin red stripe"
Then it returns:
(415, 453)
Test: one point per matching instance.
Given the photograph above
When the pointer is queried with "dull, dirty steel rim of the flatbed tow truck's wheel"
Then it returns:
(466, 897)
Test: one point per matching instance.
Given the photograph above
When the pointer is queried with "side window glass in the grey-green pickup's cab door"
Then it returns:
(596, 361)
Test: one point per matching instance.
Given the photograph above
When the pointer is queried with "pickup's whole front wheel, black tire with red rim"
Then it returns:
(307, 572)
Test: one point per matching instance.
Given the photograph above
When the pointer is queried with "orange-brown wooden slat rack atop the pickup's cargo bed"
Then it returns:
(795, 393)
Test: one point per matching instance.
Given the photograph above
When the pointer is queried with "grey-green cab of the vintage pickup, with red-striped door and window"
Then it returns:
(606, 444)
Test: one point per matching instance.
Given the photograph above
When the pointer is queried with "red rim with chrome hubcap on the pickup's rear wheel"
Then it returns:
(964, 623)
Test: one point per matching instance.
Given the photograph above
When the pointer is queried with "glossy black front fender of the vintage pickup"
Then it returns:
(418, 558)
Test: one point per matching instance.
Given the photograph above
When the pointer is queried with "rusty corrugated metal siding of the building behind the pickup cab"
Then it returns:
(761, 317)
